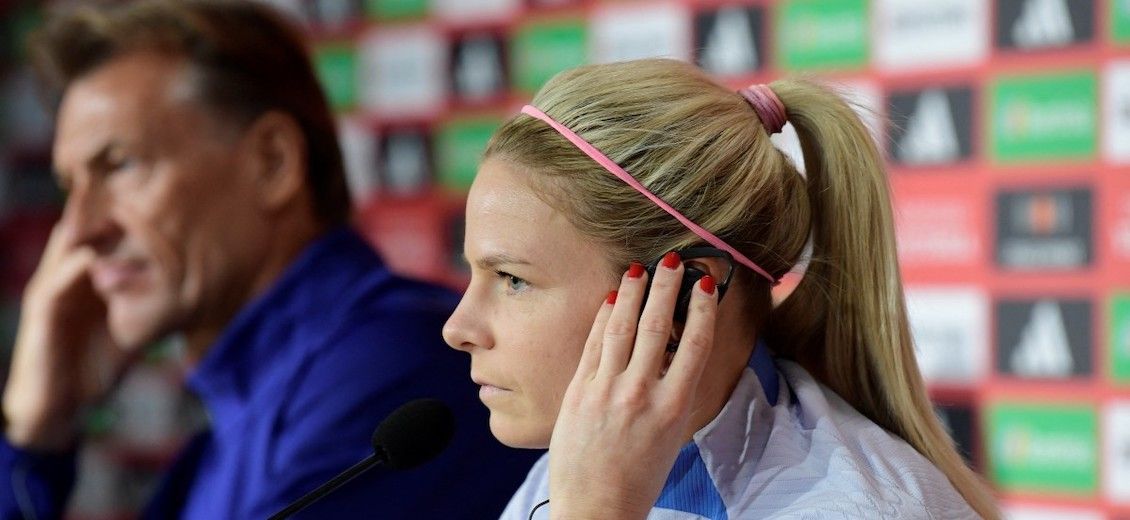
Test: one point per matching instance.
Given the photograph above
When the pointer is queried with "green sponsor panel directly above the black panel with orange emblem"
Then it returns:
(1045, 117)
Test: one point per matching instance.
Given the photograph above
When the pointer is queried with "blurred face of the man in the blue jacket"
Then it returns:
(160, 190)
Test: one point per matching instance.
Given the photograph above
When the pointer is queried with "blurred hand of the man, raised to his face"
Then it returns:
(64, 359)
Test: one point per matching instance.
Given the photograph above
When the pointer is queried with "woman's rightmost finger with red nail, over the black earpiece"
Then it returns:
(698, 339)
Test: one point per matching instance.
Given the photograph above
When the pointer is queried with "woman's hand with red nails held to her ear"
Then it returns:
(627, 413)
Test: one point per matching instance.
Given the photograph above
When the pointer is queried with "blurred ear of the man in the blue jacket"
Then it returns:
(277, 154)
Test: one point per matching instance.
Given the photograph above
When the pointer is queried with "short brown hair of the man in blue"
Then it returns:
(245, 58)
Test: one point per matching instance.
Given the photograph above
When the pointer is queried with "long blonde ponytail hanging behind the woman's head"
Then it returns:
(847, 319)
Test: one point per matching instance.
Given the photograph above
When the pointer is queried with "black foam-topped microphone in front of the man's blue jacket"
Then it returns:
(410, 437)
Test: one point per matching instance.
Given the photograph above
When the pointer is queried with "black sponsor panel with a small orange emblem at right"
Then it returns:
(1045, 230)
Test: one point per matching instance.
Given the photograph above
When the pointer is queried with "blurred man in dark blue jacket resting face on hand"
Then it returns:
(206, 197)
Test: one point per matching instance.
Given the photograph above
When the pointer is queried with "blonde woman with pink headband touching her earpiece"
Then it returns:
(629, 190)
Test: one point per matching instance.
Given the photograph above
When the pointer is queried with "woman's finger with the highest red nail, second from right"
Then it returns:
(655, 330)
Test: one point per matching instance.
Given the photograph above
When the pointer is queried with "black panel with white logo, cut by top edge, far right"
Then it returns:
(1044, 24)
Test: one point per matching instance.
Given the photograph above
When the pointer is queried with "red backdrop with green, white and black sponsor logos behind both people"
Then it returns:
(1006, 125)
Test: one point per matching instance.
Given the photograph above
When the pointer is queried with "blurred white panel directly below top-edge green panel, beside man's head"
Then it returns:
(403, 72)
